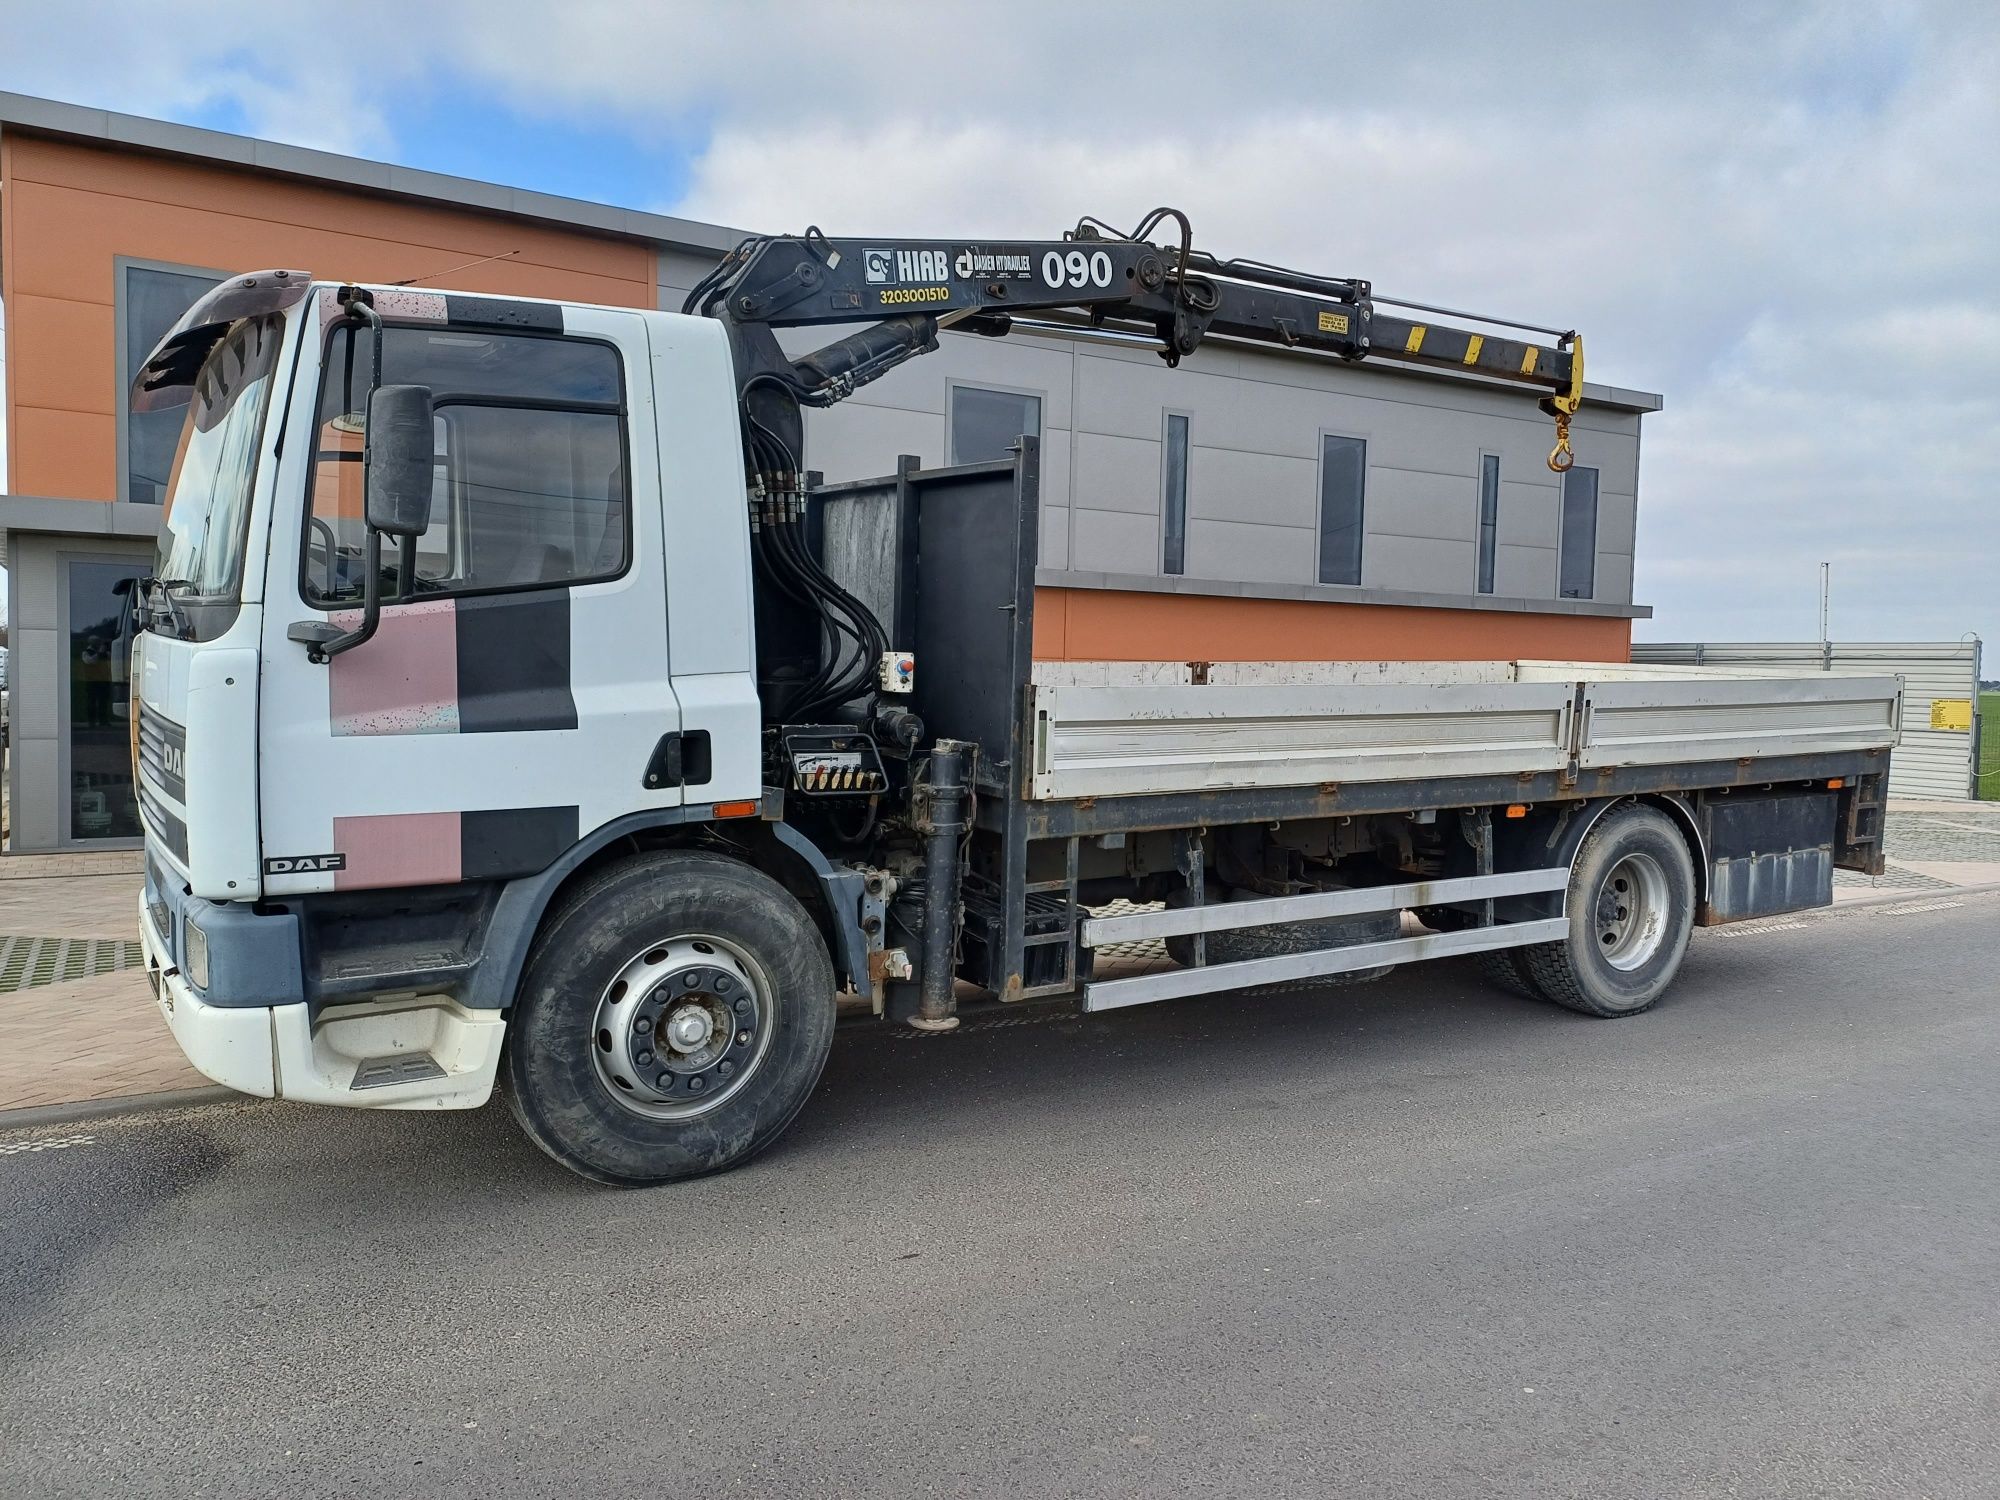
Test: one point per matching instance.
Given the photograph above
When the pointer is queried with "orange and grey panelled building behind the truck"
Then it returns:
(1249, 505)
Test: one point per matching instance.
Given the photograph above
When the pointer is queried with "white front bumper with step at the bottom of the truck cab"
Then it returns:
(345, 1057)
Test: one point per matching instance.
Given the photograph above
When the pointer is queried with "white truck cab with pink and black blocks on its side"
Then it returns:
(581, 595)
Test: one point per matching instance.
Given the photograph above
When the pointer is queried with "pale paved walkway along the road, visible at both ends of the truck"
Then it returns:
(99, 1037)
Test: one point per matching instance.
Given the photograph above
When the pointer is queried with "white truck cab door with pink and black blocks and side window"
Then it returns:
(519, 681)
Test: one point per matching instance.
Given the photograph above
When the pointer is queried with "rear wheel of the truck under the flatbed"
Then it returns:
(1631, 911)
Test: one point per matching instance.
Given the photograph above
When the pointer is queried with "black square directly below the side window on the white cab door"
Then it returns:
(515, 663)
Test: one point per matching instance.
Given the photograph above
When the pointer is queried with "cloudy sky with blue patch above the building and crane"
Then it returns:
(1781, 217)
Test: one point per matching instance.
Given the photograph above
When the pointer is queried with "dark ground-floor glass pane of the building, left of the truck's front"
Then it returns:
(99, 739)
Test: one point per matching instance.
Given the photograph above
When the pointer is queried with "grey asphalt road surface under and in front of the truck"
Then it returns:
(1413, 1239)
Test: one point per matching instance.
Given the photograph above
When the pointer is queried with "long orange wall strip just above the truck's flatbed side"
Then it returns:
(1097, 625)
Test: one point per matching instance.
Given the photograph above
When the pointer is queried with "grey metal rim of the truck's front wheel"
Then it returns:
(683, 1027)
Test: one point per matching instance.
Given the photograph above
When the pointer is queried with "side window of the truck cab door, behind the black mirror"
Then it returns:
(529, 475)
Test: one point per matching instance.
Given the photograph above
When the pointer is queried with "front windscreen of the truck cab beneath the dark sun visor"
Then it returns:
(215, 471)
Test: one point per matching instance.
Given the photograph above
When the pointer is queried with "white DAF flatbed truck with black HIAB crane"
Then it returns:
(515, 709)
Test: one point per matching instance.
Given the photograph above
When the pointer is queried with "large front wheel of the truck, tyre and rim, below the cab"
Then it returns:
(671, 1023)
